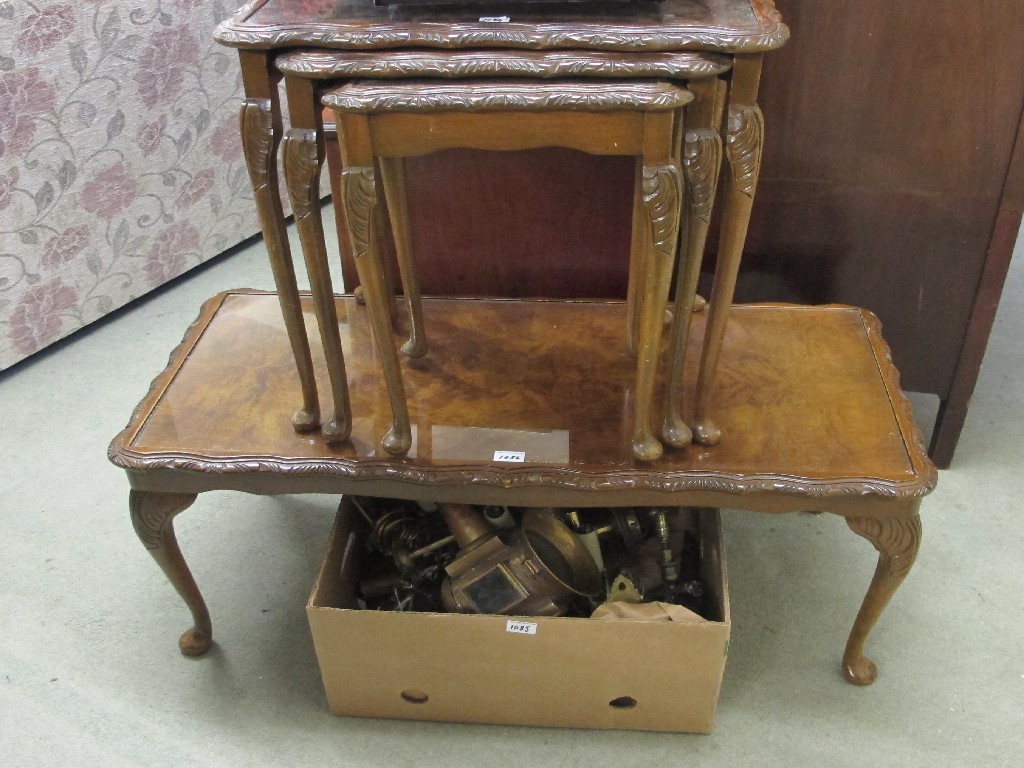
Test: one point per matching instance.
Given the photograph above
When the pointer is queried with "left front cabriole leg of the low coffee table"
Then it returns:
(152, 516)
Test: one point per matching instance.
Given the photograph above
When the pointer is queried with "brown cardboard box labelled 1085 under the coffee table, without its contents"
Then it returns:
(579, 673)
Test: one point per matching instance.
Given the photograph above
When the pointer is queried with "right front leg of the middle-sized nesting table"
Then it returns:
(702, 157)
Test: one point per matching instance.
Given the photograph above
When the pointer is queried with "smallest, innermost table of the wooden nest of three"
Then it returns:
(382, 122)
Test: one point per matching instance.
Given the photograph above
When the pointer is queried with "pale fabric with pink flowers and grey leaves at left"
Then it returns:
(120, 160)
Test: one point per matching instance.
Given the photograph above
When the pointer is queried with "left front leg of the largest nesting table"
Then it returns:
(262, 129)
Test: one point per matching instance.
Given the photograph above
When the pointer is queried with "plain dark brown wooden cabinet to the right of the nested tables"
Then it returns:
(891, 181)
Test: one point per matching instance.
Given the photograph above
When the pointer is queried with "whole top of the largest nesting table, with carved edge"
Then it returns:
(730, 26)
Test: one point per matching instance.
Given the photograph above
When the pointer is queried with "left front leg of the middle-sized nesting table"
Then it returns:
(304, 153)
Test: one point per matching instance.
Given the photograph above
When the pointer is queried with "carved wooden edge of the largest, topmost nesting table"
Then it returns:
(770, 33)
